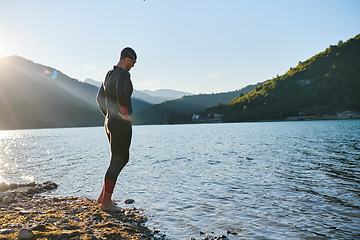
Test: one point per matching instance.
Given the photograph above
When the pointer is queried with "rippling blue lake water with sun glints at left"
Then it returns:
(277, 180)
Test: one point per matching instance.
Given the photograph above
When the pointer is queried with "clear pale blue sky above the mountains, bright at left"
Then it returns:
(197, 46)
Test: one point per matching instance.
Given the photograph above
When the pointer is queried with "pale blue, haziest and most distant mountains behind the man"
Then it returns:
(149, 96)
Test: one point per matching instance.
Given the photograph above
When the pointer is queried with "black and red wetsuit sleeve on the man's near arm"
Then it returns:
(121, 93)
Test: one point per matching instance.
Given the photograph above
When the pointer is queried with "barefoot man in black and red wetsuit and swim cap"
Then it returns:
(114, 100)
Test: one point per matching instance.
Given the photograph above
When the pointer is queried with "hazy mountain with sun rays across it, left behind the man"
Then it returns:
(37, 96)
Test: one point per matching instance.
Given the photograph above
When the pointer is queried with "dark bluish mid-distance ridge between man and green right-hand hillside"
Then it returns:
(157, 114)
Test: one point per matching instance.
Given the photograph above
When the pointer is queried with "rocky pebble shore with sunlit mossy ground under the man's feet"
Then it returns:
(25, 214)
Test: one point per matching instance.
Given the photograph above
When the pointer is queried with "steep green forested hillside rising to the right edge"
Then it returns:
(326, 83)
